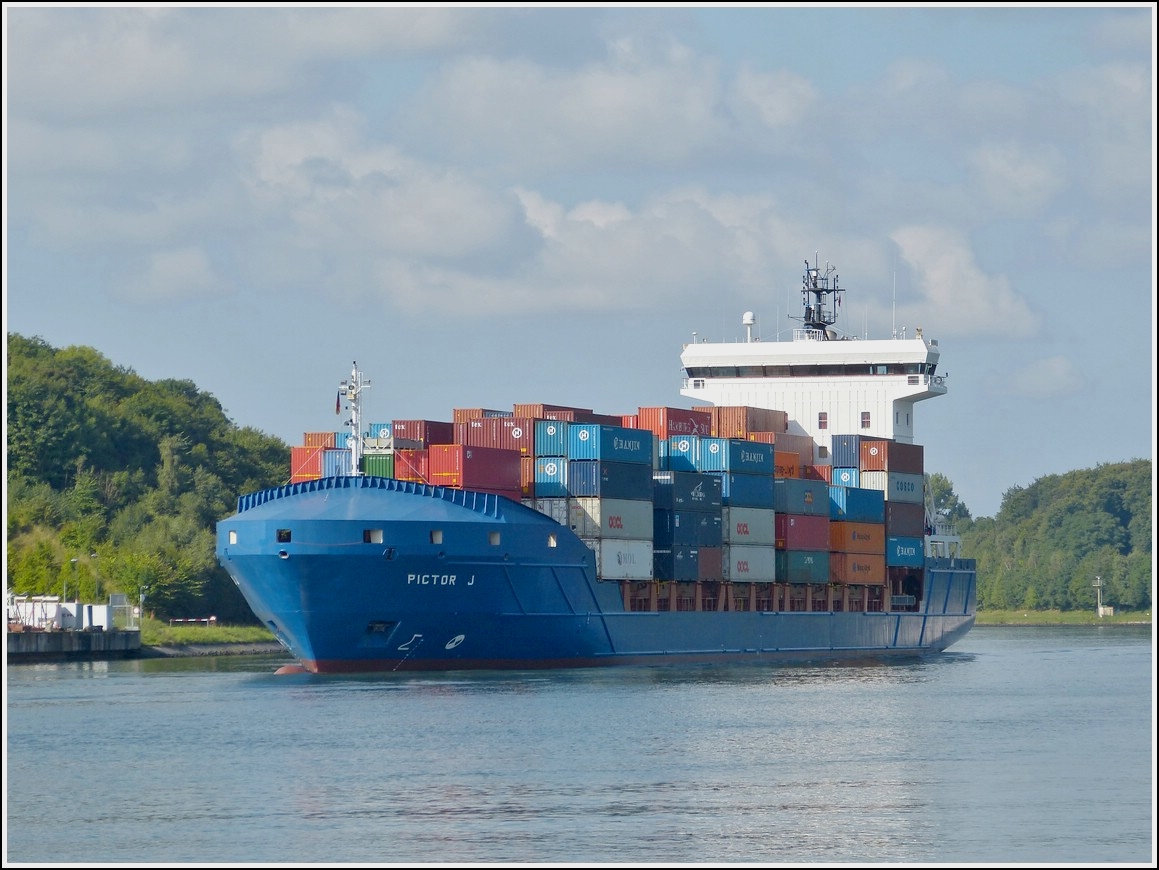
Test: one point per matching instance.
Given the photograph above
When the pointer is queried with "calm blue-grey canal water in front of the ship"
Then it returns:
(1019, 745)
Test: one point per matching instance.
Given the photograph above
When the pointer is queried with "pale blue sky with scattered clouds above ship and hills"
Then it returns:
(493, 206)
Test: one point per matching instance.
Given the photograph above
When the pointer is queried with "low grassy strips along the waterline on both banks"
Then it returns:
(165, 640)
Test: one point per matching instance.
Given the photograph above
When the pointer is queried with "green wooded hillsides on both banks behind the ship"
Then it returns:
(116, 485)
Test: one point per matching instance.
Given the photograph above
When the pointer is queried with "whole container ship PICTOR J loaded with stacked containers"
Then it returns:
(785, 516)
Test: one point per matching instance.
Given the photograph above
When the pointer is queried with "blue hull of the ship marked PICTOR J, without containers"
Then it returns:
(369, 574)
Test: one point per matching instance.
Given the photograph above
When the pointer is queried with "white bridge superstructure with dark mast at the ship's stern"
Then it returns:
(826, 383)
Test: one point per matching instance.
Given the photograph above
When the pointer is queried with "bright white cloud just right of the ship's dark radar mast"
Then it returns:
(958, 297)
